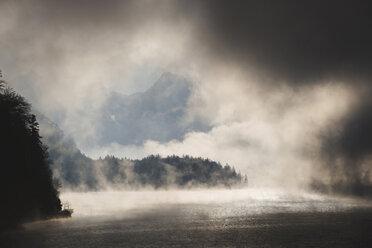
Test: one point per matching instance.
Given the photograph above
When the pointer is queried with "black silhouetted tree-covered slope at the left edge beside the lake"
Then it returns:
(27, 191)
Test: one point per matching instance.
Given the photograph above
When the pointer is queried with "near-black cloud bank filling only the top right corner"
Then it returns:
(301, 42)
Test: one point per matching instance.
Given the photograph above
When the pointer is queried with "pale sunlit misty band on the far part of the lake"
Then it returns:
(243, 201)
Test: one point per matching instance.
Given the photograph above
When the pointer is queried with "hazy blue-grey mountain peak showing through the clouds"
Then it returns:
(159, 113)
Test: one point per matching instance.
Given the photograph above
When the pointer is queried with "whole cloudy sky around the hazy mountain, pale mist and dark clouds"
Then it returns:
(285, 87)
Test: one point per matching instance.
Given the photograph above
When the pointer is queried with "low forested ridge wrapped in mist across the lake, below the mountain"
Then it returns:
(172, 171)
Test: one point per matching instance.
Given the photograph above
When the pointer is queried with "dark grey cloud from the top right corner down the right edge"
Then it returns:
(300, 45)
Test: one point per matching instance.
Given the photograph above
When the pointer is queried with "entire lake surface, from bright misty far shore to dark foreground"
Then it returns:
(205, 218)
